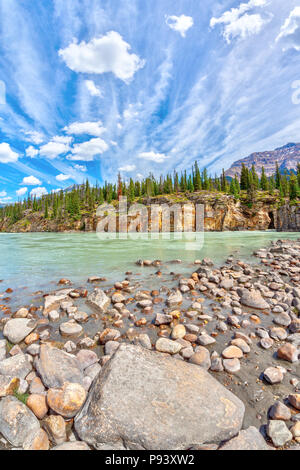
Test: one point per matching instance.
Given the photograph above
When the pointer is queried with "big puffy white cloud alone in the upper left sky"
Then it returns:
(109, 53)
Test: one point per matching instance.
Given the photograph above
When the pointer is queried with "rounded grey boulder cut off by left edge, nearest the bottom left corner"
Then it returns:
(17, 422)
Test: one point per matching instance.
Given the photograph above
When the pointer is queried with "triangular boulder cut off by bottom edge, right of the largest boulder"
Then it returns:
(249, 439)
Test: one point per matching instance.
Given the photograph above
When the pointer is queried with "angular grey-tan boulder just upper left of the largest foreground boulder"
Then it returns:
(56, 367)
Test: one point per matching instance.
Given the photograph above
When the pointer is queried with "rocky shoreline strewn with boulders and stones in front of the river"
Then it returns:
(209, 361)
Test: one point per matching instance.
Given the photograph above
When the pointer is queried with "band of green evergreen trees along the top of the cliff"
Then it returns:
(81, 200)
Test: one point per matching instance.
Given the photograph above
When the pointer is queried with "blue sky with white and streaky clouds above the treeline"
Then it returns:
(90, 88)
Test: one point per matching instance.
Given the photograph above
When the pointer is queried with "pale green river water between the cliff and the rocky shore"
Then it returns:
(35, 259)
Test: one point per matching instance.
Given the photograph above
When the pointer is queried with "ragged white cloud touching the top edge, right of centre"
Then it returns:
(238, 23)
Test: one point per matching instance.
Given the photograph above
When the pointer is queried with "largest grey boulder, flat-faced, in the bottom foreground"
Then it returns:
(146, 400)
